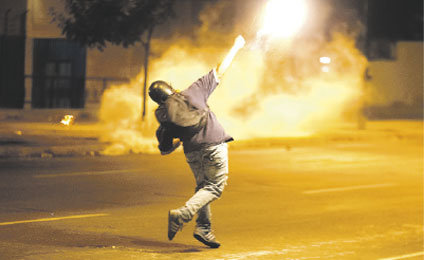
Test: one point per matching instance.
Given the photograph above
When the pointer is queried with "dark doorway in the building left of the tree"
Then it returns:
(59, 74)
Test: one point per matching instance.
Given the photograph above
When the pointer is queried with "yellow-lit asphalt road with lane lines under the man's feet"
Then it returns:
(347, 200)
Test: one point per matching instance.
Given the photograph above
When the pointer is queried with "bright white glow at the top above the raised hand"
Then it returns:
(283, 18)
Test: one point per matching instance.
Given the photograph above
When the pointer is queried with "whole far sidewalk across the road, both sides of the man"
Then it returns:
(39, 134)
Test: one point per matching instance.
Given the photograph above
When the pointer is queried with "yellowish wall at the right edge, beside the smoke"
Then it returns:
(396, 87)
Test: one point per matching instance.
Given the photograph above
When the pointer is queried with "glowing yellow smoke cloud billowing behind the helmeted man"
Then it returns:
(272, 88)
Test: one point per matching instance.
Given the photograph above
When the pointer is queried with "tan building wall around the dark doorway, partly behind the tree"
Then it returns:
(113, 61)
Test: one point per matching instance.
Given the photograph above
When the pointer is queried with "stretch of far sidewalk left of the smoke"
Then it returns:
(38, 133)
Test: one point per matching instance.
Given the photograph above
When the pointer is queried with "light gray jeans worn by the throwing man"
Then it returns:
(210, 168)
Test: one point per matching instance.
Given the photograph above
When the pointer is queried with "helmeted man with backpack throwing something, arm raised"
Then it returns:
(185, 117)
